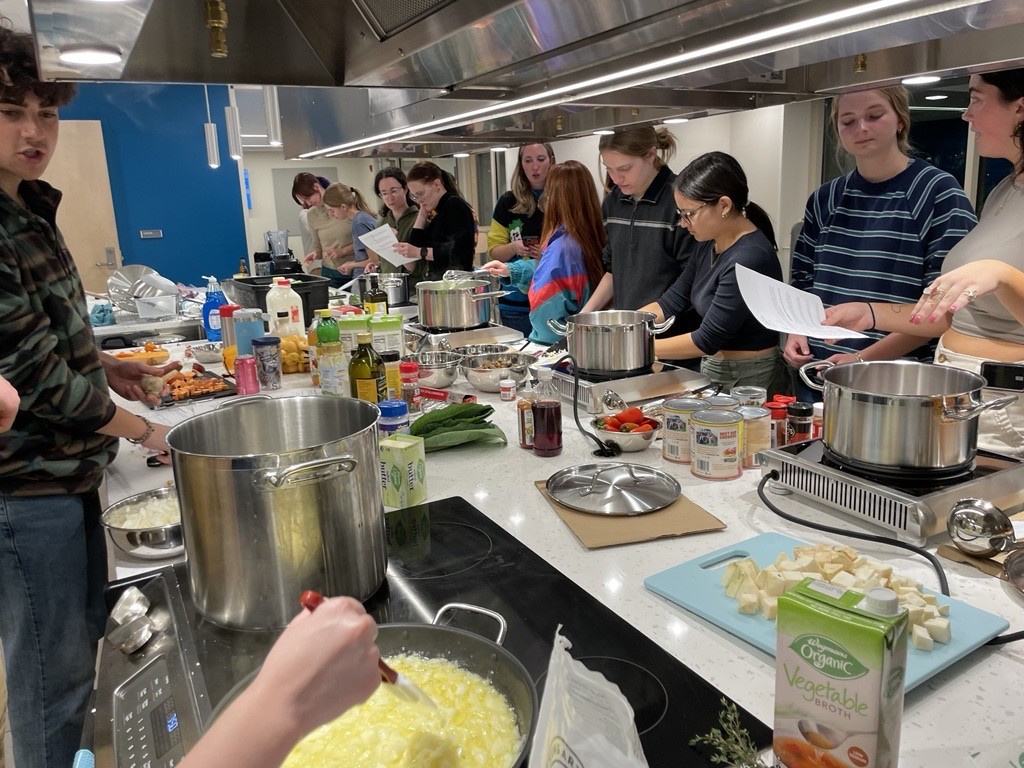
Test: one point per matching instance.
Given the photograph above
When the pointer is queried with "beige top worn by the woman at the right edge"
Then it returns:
(1000, 235)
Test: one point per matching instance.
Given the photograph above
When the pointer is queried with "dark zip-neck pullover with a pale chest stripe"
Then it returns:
(647, 248)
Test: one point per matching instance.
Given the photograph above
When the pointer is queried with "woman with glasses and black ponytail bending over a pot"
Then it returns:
(736, 350)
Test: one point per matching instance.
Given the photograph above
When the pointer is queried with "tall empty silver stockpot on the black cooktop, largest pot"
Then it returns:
(279, 496)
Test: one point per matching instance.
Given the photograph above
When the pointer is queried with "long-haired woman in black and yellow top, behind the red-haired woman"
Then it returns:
(517, 226)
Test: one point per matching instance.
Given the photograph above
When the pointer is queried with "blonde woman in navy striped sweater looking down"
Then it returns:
(878, 234)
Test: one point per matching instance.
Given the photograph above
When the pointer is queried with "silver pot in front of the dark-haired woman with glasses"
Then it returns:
(611, 342)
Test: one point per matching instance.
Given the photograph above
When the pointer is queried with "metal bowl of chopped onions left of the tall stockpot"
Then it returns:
(147, 526)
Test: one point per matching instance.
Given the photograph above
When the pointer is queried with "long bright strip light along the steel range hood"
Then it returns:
(730, 52)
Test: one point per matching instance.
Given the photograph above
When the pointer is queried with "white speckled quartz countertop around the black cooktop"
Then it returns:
(973, 705)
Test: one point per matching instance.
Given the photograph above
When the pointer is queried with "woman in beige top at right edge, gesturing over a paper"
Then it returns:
(977, 305)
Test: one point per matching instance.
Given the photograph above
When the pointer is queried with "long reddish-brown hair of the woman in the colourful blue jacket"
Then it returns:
(573, 204)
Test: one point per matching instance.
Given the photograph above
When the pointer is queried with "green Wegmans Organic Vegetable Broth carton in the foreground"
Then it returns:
(839, 677)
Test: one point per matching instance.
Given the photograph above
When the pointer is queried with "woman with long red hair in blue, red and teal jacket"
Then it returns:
(570, 266)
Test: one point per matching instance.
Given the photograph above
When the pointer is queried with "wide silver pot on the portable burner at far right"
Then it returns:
(902, 415)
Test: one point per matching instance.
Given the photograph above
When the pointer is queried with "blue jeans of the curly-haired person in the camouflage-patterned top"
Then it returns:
(53, 573)
